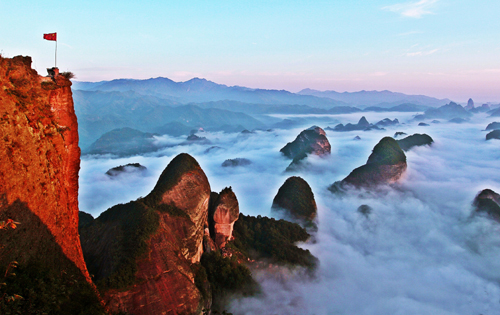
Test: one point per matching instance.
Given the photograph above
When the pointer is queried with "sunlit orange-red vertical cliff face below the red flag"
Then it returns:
(39, 161)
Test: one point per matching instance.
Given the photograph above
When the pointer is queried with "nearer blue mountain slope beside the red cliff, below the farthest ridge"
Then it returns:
(99, 112)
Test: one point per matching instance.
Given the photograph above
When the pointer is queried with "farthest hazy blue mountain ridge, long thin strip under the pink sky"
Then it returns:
(200, 90)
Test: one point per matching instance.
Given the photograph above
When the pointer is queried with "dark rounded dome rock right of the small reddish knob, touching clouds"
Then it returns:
(296, 198)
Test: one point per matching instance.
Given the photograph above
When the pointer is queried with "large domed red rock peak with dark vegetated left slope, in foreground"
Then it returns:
(144, 254)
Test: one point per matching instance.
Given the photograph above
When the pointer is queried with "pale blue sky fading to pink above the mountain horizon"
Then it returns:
(440, 48)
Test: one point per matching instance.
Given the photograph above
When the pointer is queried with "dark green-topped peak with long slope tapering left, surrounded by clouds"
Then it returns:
(385, 165)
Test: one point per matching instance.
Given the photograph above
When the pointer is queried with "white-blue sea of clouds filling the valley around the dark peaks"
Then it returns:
(418, 252)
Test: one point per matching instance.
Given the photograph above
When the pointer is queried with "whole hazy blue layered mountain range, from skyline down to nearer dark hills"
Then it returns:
(163, 106)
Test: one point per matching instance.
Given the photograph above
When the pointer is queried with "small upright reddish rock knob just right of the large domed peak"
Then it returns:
(224, 211)
